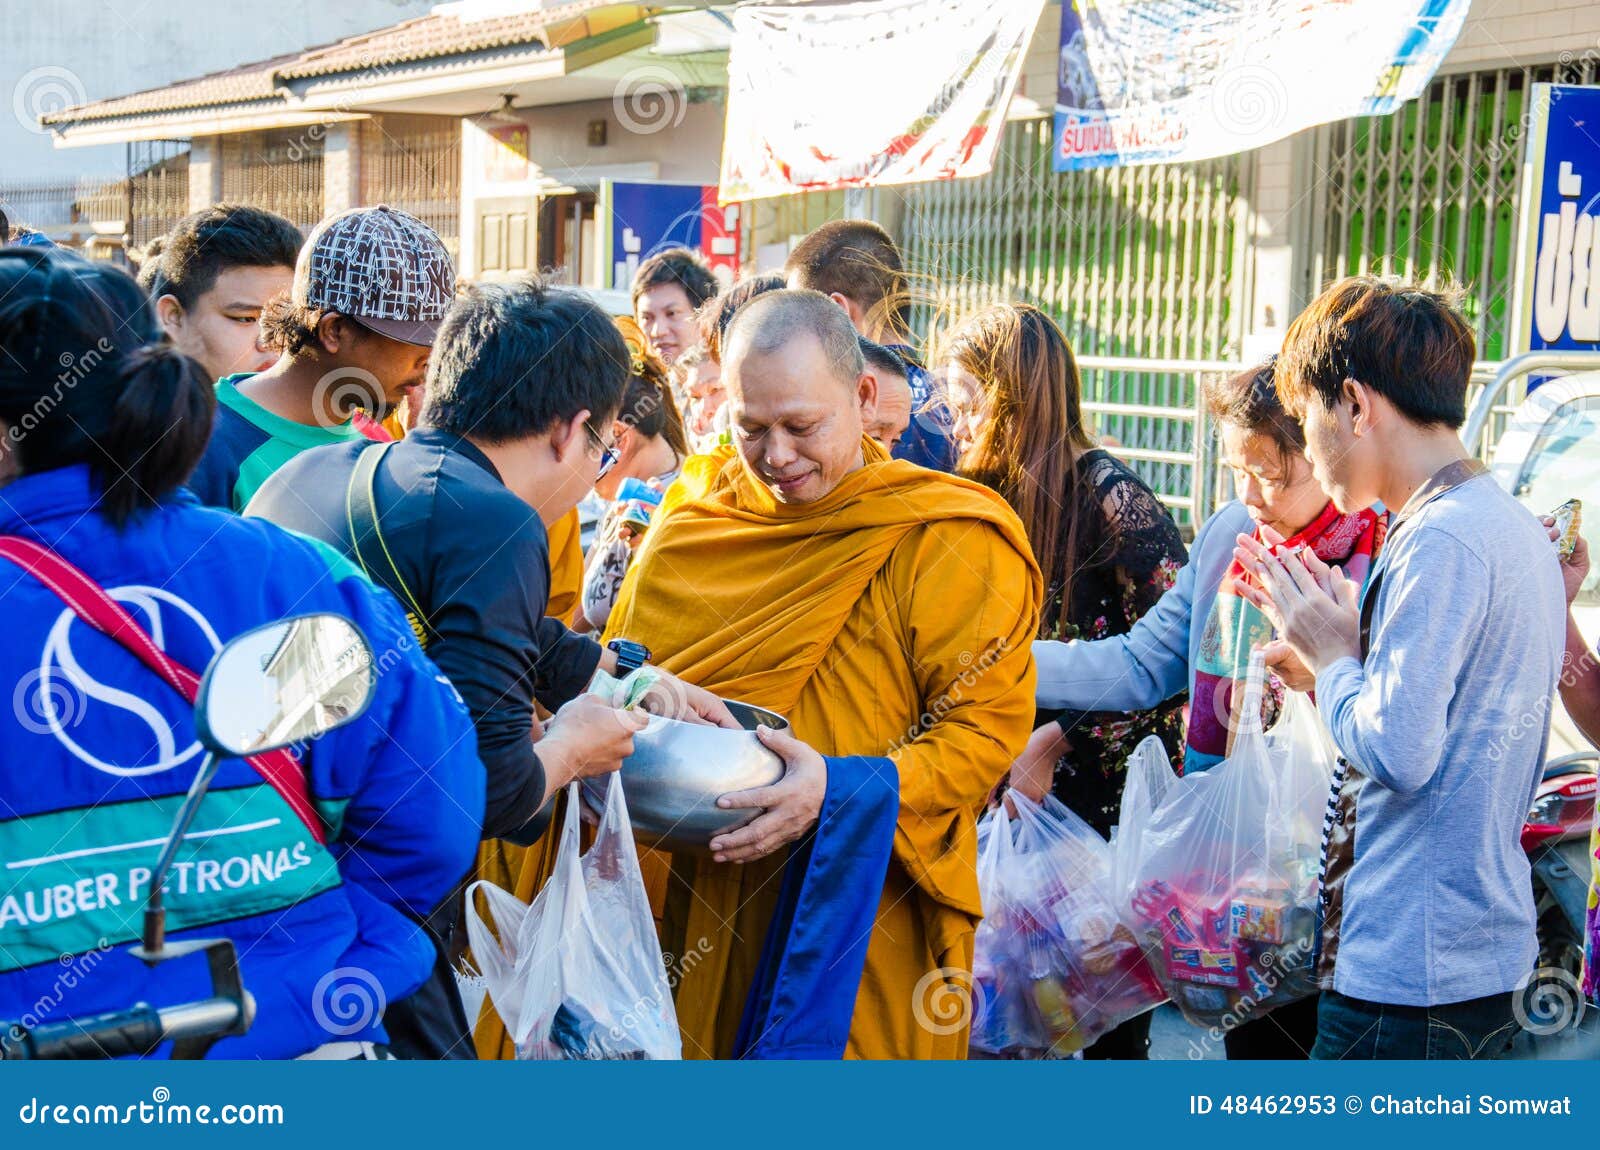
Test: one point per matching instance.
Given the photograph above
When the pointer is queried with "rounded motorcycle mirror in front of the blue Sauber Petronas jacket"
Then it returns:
(284, 684)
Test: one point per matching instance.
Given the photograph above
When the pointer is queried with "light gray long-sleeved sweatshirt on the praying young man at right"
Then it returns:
(1447, 722)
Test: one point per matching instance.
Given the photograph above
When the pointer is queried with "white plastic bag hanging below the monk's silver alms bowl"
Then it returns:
(578, 975)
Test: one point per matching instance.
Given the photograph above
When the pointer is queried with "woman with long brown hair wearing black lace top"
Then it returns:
(1103, 540)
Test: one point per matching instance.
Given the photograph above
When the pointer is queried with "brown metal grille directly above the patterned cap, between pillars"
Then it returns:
(414, 162)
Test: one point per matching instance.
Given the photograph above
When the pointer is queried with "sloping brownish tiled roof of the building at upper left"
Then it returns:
(422, 39)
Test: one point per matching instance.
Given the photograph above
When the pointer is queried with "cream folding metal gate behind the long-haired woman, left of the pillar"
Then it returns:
(1145, 263)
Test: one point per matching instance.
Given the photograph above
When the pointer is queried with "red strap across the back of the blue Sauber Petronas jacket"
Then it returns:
(90, 604)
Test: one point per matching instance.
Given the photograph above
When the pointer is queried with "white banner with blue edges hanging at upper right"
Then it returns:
(1172, 81)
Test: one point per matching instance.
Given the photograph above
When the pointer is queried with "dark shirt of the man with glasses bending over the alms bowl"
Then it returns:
(479, 564)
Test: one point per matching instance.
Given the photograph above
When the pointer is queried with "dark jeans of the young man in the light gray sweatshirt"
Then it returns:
(1356, 1029)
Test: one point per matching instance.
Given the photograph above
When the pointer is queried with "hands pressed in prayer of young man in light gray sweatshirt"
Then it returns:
(1313, 607)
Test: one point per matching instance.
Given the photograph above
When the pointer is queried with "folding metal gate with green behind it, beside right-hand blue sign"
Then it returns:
(1431, 193)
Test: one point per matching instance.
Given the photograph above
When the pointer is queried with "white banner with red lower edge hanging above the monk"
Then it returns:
(868, 94)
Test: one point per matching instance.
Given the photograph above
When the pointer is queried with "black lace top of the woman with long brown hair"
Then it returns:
(1127, 561)
